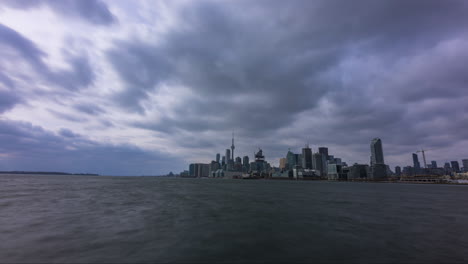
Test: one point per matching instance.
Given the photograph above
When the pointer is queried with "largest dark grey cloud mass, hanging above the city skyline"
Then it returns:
(360, 68)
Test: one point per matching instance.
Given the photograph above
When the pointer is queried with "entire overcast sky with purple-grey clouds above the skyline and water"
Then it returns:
(146, 87)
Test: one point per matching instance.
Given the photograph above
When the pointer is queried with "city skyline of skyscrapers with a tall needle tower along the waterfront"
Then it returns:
(316, 165)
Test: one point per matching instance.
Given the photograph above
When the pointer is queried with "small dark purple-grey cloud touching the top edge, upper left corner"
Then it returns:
(93, 11)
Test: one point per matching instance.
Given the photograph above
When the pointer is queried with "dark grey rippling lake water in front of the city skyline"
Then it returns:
(145, 219)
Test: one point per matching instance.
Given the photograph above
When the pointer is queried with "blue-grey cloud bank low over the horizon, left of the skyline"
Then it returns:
(29, 147)
